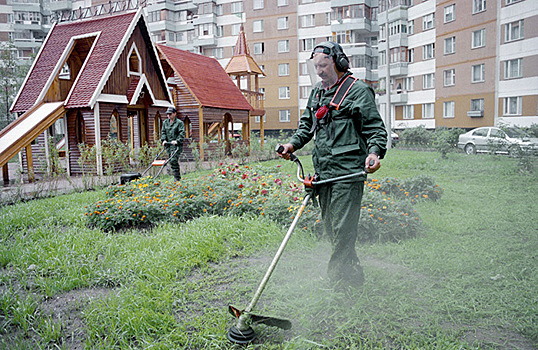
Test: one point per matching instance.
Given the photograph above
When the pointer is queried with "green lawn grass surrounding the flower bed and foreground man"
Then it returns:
(468, 281)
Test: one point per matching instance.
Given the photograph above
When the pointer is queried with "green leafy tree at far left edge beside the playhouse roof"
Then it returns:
(12, 73)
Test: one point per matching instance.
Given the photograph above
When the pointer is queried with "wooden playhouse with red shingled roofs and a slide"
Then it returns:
(103, 79)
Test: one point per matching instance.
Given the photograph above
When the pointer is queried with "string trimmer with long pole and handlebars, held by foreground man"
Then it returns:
(241, 332)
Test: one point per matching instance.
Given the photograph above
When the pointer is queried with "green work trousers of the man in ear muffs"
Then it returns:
(340, 209)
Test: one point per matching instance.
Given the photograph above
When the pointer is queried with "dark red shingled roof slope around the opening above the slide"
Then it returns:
(112, 31)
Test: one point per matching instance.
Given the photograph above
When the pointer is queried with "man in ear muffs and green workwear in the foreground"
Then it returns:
(349, 137)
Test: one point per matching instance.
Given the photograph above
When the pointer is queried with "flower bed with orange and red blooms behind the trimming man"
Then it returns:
(232, 189)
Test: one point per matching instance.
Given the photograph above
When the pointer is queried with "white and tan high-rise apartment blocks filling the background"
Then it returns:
(452, 63)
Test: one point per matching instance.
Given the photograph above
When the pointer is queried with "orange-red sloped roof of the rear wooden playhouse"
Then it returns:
(206, 78)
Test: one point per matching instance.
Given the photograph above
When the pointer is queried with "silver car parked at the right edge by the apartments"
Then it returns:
(507, 140)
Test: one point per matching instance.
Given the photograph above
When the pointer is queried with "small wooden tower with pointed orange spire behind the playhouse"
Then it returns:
(243, 65)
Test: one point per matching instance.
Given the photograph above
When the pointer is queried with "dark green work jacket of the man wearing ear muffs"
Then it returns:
(344, 137)
